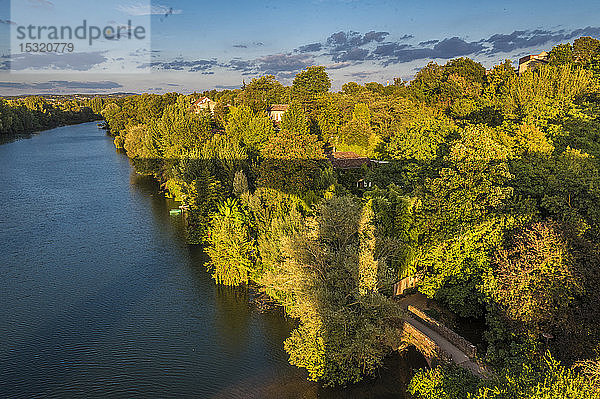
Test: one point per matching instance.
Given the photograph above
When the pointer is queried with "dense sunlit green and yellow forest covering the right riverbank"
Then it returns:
(488, 191)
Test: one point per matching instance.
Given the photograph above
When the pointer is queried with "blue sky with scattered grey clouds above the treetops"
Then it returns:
(196, 45)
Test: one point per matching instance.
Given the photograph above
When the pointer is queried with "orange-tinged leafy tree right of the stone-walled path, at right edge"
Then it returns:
(544, 282)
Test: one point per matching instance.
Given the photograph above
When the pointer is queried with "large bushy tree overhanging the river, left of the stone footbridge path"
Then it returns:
(330, 274)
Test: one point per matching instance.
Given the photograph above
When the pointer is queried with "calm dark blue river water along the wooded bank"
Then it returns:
(101, 297)
